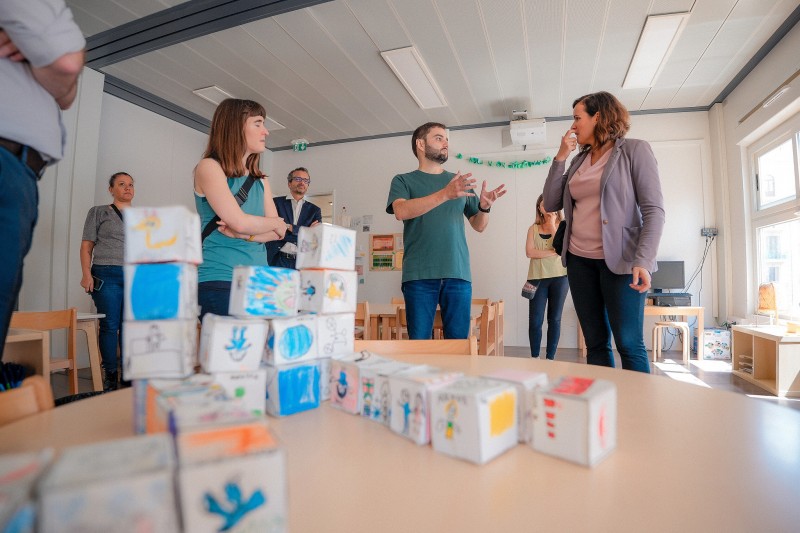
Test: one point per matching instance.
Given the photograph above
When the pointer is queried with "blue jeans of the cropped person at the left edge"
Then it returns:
(19, 208)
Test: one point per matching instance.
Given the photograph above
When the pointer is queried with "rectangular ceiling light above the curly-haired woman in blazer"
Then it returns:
(658, 37)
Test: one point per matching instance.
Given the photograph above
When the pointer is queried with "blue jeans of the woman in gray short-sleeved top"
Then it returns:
(110, 300)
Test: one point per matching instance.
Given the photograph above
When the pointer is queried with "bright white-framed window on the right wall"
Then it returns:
(775, 216)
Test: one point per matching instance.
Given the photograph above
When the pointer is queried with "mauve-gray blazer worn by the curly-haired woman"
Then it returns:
(631, 204)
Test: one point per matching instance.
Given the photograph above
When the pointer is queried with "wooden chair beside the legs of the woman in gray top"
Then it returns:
(49, 321)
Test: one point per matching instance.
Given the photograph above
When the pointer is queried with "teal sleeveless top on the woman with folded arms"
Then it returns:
(221, 253)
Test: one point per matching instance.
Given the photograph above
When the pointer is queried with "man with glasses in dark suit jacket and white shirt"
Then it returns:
(296, 211)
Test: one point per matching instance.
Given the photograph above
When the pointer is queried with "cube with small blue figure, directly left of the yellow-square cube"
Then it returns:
(411, 401)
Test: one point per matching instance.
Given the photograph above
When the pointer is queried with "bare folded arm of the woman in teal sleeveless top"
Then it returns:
(211, 181)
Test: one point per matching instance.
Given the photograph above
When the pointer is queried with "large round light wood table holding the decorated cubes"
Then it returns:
(688, 458)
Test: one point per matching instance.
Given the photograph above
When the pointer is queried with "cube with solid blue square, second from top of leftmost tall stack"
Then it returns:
(160, 291)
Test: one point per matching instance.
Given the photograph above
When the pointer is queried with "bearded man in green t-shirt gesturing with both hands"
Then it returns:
(432, 204)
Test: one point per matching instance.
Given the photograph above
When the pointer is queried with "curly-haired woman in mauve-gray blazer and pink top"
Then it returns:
(612, 202)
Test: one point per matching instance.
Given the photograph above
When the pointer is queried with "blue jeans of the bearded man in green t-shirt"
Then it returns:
(422, 296)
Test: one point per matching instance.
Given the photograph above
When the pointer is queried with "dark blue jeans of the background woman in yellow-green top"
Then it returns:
(550, 293)
